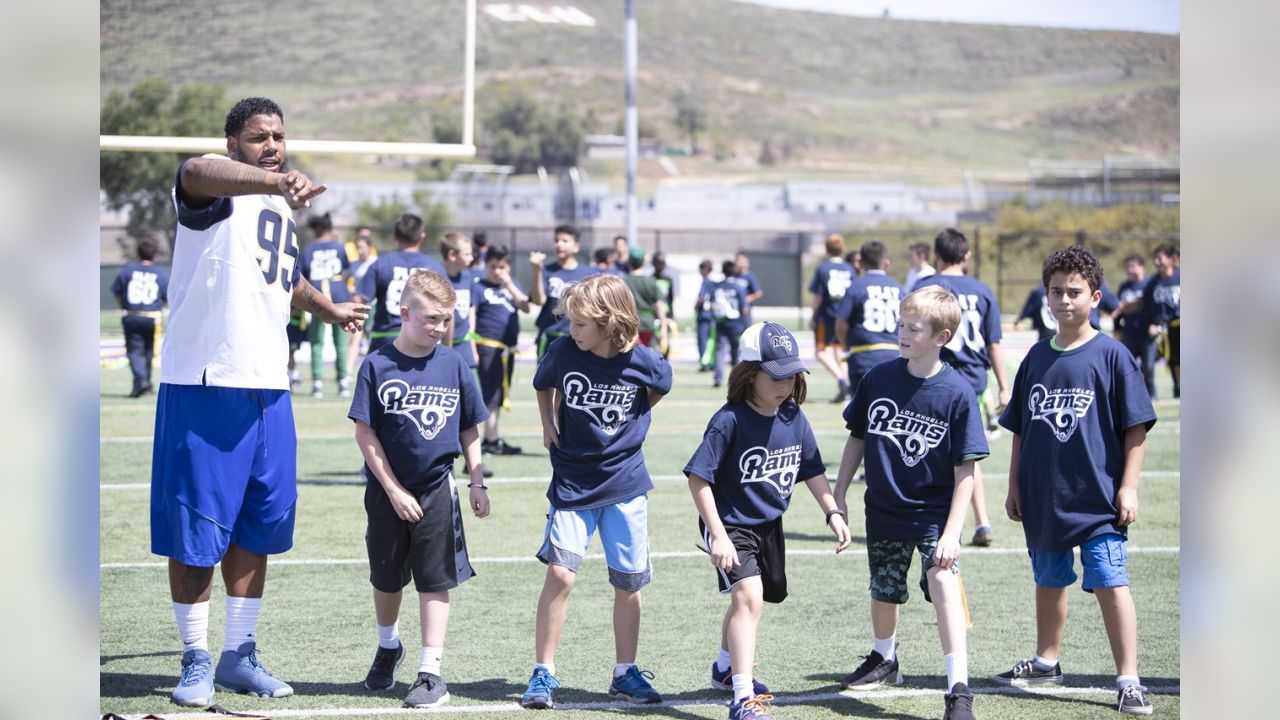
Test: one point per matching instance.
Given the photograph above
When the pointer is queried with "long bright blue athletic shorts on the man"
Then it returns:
(223, 471)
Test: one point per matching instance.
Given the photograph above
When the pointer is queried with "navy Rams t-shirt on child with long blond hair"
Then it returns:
(604, 417)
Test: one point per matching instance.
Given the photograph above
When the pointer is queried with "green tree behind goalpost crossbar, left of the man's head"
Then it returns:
(141, 183)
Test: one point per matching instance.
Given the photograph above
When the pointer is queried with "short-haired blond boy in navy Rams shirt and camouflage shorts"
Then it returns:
(918, 425)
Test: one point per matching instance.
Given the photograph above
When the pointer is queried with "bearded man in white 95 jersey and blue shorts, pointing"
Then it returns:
(225, 462)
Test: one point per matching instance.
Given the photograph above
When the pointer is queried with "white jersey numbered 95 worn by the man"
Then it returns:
(234, 271)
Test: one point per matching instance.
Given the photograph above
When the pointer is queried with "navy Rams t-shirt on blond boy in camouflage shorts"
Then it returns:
(917, 431)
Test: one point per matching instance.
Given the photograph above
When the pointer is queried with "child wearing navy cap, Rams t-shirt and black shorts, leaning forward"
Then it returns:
(742, 477)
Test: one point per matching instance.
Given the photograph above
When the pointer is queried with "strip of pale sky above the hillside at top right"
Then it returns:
(1148, 16)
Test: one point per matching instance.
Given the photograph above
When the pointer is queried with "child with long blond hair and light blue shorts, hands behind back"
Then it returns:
(596, 390)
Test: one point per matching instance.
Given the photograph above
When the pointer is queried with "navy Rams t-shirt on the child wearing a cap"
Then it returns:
(755, 462)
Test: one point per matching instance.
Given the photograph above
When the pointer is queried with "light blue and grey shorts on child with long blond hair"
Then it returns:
(624, 536)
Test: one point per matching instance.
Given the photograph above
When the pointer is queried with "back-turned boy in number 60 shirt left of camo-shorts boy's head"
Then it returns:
(867, 317)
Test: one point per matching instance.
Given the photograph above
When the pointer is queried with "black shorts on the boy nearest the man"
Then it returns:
(432, 552)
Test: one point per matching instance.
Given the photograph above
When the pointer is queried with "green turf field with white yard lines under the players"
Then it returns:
(318, 631)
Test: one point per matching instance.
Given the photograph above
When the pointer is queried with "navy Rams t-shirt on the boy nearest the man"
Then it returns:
(418, 407)
